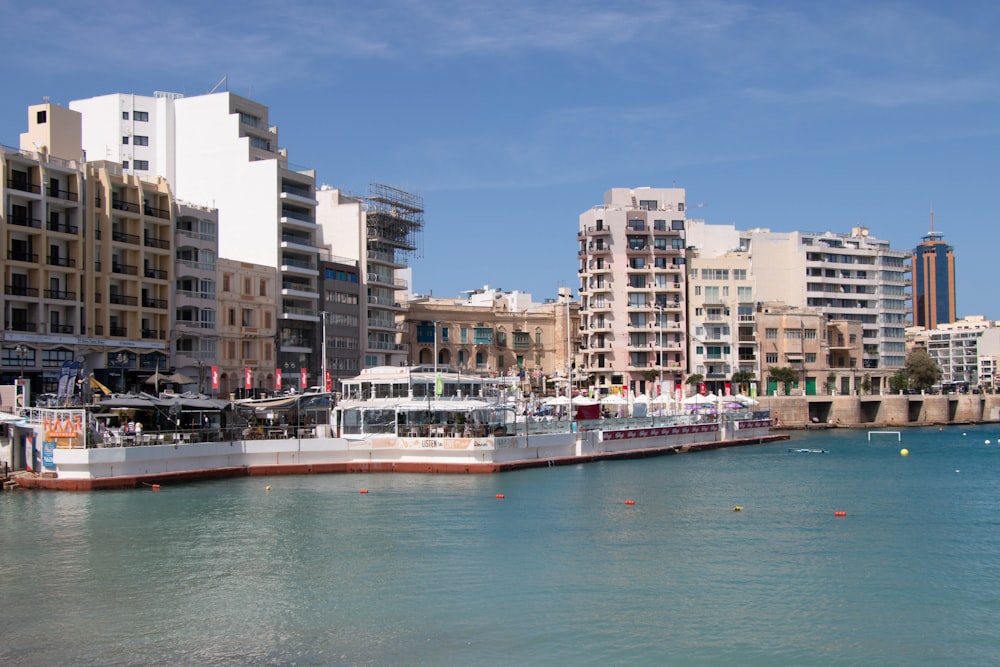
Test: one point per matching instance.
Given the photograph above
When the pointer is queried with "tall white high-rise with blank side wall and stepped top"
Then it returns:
(220, 150)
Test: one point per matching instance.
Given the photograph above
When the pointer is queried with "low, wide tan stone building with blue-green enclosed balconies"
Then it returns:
(497, 334)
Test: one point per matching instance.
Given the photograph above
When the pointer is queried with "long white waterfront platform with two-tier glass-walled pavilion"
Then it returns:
(389, 419)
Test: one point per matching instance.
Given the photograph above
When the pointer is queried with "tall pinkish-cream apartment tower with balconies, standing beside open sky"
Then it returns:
(632, 289)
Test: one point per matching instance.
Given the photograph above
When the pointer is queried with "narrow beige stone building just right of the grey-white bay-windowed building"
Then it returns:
(247, 363)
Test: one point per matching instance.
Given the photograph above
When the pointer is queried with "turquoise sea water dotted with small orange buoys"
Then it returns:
(435, 570)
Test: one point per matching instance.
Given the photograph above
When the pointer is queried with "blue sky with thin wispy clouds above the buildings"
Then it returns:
(512, 117)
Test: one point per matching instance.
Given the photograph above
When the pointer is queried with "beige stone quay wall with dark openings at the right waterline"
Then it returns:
(882, 410)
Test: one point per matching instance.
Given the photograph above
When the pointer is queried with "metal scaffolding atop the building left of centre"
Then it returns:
(395, 219)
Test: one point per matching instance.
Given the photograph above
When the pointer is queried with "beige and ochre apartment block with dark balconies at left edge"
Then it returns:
(89, 261)
